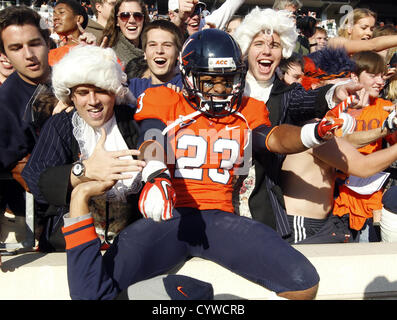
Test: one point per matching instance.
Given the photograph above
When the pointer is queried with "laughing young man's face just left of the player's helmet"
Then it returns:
(161, 54)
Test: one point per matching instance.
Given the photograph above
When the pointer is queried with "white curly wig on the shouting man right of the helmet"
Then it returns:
(258, 20)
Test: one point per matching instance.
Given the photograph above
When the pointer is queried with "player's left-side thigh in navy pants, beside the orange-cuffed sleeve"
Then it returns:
(143, 250)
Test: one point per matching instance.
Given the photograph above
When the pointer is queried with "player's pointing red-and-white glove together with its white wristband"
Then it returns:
(315, 133)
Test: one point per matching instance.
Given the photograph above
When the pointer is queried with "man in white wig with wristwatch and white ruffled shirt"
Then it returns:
(95, 141)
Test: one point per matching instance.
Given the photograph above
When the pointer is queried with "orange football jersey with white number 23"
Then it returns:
(202, 152)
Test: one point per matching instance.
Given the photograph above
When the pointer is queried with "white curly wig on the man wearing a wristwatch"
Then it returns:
(92, 65)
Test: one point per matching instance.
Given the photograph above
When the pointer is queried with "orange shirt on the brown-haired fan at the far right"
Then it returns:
(360, 207)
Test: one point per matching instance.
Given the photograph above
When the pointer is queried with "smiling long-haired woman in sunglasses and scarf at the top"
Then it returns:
(123, 33)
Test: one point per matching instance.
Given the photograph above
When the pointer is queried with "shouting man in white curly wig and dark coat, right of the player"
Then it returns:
(263, 50)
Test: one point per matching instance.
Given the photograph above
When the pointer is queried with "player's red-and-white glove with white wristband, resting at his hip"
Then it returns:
(157, 197)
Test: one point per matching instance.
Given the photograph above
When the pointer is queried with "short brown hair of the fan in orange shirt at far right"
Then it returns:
(370, 62)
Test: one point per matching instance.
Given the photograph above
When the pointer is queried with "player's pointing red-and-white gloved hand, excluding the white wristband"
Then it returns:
(336, 118)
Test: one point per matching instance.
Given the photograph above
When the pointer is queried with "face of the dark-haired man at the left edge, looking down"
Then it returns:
(27, 51)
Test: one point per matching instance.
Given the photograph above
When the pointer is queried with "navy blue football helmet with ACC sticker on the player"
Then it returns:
(212, 52)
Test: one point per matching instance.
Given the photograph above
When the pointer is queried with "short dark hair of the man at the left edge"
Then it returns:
(21, 16)
